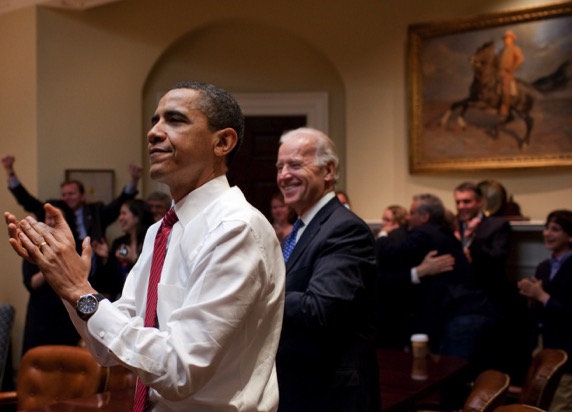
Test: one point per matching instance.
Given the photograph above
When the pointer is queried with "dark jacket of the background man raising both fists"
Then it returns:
(96, 216)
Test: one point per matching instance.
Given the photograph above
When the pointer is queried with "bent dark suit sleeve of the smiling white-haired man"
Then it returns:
(340, 265)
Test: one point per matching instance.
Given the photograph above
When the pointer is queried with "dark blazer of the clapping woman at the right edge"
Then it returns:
(556, 316)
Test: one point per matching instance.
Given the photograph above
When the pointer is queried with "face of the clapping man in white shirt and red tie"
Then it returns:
(184, 153)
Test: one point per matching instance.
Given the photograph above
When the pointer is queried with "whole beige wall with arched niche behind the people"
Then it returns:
(73, 85)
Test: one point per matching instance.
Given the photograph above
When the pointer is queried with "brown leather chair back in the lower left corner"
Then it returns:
(54, 373)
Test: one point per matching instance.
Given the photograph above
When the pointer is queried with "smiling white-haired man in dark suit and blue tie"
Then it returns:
(326, 358)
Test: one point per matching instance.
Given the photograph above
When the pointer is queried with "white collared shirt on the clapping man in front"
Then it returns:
(220, 308)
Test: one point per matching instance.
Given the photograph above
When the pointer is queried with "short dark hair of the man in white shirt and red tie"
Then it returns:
(220, 108)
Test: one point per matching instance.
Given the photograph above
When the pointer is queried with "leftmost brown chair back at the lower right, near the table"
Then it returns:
(488, 392)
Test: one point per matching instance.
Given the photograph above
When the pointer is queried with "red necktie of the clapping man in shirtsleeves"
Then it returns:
(159, 253)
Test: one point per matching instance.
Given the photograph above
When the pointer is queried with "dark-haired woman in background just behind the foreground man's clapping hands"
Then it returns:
(135, 217)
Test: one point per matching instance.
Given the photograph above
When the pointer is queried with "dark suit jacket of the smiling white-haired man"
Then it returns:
(326, 357)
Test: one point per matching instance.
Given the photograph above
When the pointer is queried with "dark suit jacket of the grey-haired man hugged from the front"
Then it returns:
(442, 296)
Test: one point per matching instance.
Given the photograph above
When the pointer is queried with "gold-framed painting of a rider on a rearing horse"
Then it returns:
(492, 91)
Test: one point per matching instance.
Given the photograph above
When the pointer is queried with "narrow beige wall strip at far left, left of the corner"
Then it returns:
(18, 135)
